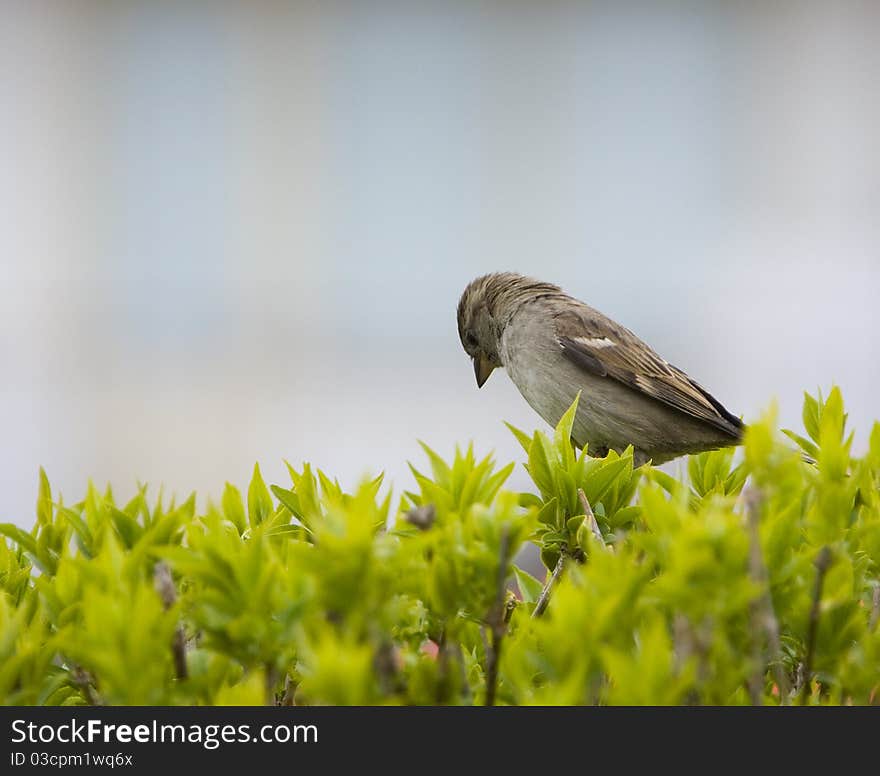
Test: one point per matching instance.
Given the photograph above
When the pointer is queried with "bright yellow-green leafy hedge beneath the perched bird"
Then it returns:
(748, 583)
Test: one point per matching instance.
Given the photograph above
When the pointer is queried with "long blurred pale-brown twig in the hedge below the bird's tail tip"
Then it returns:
(763, 613)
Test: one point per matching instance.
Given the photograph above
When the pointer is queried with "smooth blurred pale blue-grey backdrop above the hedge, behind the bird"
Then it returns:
(238, 232)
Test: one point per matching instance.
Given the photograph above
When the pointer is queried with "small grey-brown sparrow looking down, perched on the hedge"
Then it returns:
(555, 348)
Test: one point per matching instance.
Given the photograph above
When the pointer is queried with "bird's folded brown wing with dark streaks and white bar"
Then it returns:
(603, 348)
